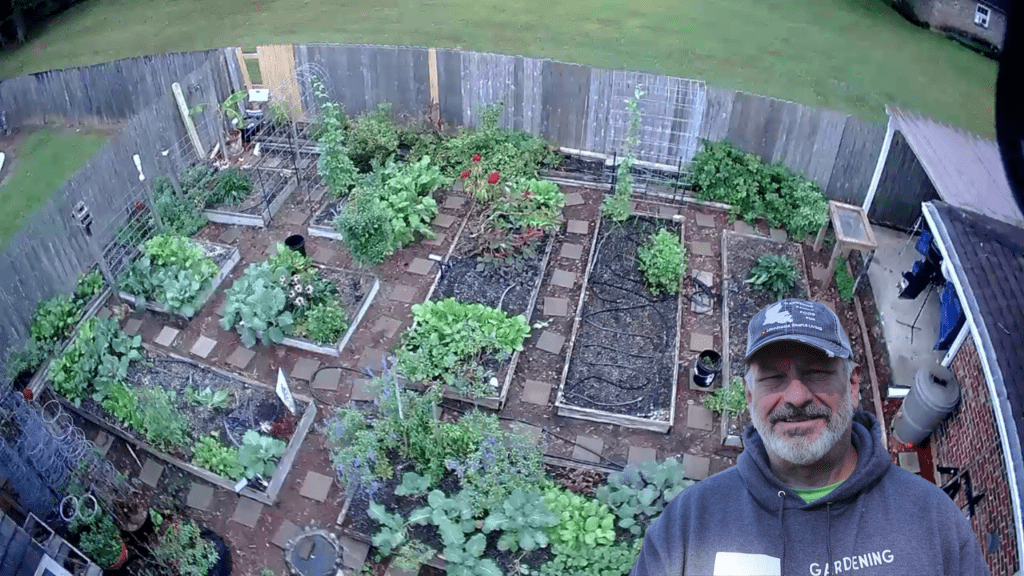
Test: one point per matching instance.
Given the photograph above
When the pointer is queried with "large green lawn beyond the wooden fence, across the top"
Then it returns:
(856, 56)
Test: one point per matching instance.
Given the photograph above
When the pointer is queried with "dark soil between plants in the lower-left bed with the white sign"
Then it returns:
(250, 408)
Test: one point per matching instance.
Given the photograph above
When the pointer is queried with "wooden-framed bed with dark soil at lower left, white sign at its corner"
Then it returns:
(254, 406)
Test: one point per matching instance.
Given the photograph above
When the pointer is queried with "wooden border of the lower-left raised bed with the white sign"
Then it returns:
(270, 497)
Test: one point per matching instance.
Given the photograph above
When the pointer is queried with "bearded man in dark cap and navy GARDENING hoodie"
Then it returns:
(815, 492)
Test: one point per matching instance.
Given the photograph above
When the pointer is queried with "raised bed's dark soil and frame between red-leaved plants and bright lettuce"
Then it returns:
(514, 290)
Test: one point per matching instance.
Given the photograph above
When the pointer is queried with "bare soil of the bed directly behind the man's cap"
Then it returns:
(745, 301)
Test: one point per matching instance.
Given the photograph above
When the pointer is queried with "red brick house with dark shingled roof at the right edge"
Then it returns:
(977, 451)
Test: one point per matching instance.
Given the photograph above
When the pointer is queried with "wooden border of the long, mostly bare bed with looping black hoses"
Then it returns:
(593, 415)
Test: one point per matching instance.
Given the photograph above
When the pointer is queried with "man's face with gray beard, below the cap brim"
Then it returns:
(801, 401)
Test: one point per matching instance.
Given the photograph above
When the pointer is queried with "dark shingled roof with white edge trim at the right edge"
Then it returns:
(988, 258)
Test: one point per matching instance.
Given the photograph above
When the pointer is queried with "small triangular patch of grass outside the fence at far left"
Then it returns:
(42, 162)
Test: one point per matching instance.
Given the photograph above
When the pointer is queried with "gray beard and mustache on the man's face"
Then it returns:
(799, 449)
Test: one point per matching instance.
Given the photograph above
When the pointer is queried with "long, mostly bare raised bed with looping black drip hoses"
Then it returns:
(623, 335)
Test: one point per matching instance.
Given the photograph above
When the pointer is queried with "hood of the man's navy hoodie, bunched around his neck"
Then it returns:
(873, 464)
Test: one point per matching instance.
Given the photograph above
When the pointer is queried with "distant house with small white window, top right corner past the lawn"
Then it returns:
(980, 25)
